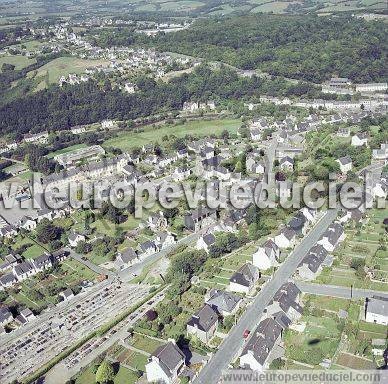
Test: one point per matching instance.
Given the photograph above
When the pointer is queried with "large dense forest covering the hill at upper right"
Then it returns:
(309, 47)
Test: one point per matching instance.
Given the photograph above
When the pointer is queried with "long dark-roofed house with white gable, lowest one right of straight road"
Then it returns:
(260, 350)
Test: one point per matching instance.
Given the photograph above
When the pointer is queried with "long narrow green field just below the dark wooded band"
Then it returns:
(129, 140)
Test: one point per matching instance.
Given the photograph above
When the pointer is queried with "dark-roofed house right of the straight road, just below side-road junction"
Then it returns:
(286, 299)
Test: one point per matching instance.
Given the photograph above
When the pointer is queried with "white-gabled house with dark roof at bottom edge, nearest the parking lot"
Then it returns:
(165, 364)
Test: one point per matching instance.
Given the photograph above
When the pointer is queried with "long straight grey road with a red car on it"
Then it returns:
(229, 349)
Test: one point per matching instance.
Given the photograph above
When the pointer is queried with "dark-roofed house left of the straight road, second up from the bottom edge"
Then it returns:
(203, 324)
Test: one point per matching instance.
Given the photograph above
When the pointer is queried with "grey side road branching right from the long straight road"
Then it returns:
(335, 291)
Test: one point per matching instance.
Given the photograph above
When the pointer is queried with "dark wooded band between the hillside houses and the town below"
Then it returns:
(60, 108)
